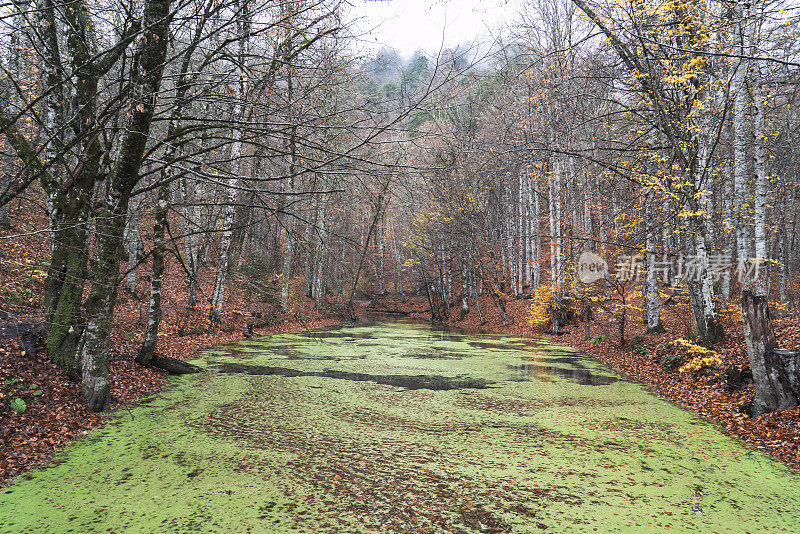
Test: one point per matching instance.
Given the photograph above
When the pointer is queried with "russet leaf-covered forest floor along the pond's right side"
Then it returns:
(671, 365)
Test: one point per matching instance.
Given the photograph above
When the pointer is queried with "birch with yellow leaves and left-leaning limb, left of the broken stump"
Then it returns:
(672, 99)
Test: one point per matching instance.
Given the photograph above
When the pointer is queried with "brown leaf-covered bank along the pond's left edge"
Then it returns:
(54, 411)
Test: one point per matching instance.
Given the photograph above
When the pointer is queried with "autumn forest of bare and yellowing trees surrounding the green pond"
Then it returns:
(621, 177)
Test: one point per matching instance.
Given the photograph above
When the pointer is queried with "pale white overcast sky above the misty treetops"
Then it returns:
(410, 25)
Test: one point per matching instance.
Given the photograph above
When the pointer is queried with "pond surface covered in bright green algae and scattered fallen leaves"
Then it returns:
(396, 427)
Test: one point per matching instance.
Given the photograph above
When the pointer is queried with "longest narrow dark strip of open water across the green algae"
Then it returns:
(433, 382)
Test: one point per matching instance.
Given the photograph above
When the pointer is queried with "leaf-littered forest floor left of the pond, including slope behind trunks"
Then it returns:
(54, 411)
